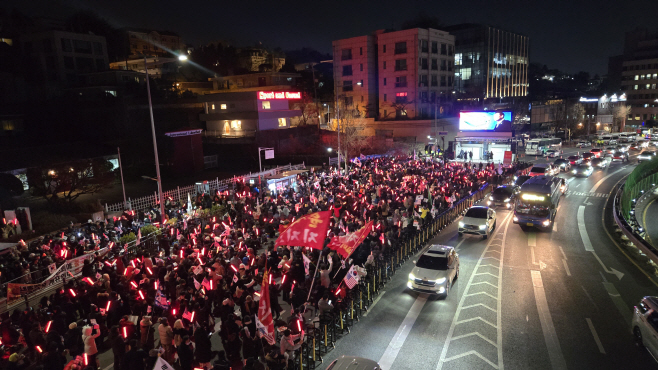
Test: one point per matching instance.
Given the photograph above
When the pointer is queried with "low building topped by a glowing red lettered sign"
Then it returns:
(244, 114)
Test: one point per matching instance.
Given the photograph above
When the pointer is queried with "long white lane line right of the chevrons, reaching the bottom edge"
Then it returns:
(550, 336)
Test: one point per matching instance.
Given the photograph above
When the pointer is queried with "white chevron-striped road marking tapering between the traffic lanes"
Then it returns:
(498, 325)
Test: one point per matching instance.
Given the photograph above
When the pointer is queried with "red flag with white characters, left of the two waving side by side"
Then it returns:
(308, 231)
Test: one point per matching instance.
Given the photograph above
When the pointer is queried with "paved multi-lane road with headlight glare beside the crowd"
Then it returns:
(540, 300)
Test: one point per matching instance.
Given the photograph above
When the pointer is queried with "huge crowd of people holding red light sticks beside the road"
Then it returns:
(204, 276)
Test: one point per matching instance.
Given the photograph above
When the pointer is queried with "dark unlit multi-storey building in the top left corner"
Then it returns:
(61, 57)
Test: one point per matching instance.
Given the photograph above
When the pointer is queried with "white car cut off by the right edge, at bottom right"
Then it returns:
(645, 324)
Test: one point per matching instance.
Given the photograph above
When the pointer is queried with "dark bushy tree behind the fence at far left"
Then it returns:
(63, 183)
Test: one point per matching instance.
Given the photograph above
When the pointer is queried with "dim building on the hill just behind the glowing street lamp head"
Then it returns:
(153, 43)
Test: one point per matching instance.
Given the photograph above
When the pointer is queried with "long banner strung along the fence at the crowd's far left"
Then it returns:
(72, 266)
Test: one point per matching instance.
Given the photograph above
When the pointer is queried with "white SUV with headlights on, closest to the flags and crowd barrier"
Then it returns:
(435, 270)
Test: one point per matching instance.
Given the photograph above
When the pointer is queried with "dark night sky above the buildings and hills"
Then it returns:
(568, 35)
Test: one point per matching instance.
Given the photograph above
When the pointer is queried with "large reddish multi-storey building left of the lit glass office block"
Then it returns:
(404, 74)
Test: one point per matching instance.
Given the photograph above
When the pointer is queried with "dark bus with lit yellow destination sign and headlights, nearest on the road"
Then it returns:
(536, 204)
